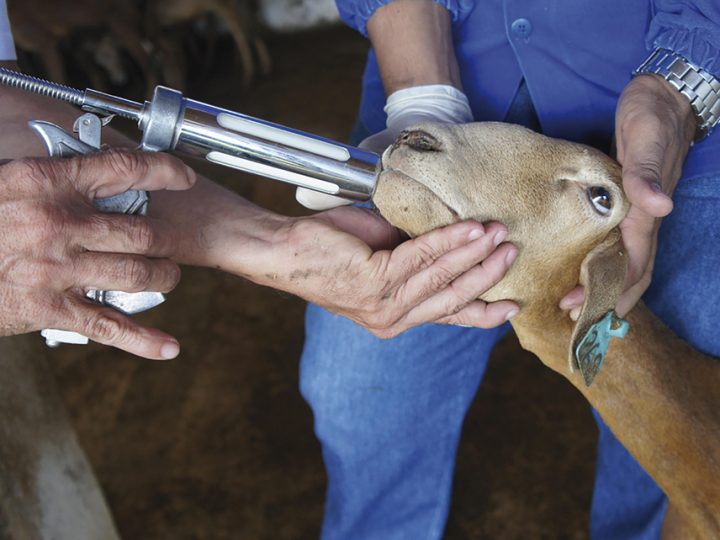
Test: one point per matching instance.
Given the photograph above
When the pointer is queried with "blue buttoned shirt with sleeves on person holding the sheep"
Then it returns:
(576, 57)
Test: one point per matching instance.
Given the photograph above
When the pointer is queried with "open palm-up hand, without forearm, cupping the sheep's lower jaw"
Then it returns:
(340, 260)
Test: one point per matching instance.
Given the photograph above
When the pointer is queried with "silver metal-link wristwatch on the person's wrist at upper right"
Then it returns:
(700, 87)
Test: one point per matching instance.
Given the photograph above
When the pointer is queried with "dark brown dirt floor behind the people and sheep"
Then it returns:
(218, 444)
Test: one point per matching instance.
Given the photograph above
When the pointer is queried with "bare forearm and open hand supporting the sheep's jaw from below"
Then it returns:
(348, 260)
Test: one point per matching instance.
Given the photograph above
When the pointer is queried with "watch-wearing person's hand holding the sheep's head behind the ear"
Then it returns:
(654, 128)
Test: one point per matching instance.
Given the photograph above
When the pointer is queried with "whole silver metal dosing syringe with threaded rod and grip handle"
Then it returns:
(171, 122)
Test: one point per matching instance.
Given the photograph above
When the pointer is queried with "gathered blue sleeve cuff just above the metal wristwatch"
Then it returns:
(690, 28)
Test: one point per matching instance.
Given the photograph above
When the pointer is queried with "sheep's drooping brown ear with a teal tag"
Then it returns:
(602, 274)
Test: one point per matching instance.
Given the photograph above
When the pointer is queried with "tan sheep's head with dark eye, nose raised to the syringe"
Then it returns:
(560, 201)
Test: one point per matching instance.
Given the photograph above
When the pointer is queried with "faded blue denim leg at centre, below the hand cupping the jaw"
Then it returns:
(388, 414)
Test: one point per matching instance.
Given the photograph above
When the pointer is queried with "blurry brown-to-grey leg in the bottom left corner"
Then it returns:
(47, 487)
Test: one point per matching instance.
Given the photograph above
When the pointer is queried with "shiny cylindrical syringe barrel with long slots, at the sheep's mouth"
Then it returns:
(171, 121)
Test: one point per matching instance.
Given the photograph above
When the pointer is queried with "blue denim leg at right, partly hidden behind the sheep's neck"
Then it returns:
(627, 504)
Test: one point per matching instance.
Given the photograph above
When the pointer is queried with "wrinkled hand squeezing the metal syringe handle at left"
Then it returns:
(54, 246)
